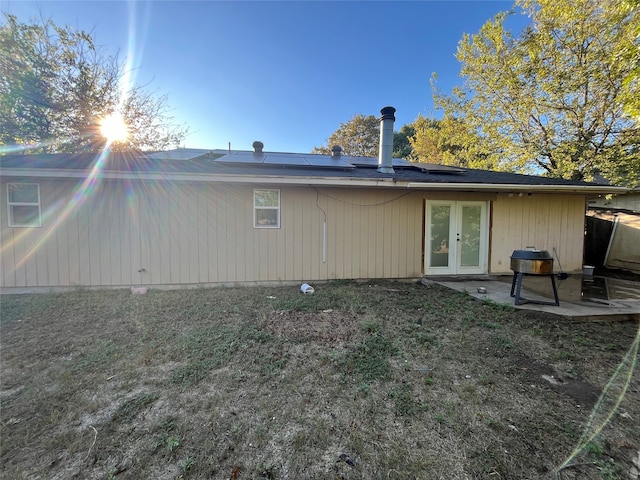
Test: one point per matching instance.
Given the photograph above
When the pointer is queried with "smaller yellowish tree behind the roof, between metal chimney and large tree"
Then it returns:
(450, 141)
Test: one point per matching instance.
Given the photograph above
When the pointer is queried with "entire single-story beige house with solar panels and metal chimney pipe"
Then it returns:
(209, 217)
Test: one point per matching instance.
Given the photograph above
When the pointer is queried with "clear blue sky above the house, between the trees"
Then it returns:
(286, 73)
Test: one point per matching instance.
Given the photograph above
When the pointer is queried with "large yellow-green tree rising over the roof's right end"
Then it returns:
(552, 98)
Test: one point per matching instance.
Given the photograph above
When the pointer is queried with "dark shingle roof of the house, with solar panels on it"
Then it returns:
(233, 162)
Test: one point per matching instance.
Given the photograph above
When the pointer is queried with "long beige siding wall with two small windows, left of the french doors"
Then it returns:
(120, 233)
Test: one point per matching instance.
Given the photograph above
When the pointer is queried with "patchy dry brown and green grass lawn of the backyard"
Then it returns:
(358, 381)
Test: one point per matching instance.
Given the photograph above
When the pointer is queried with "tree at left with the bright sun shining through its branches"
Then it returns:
(56, 86)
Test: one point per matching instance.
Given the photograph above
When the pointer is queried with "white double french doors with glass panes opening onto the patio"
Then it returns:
(456, 239)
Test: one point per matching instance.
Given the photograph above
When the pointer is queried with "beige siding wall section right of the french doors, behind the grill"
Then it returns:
(543, 221)
